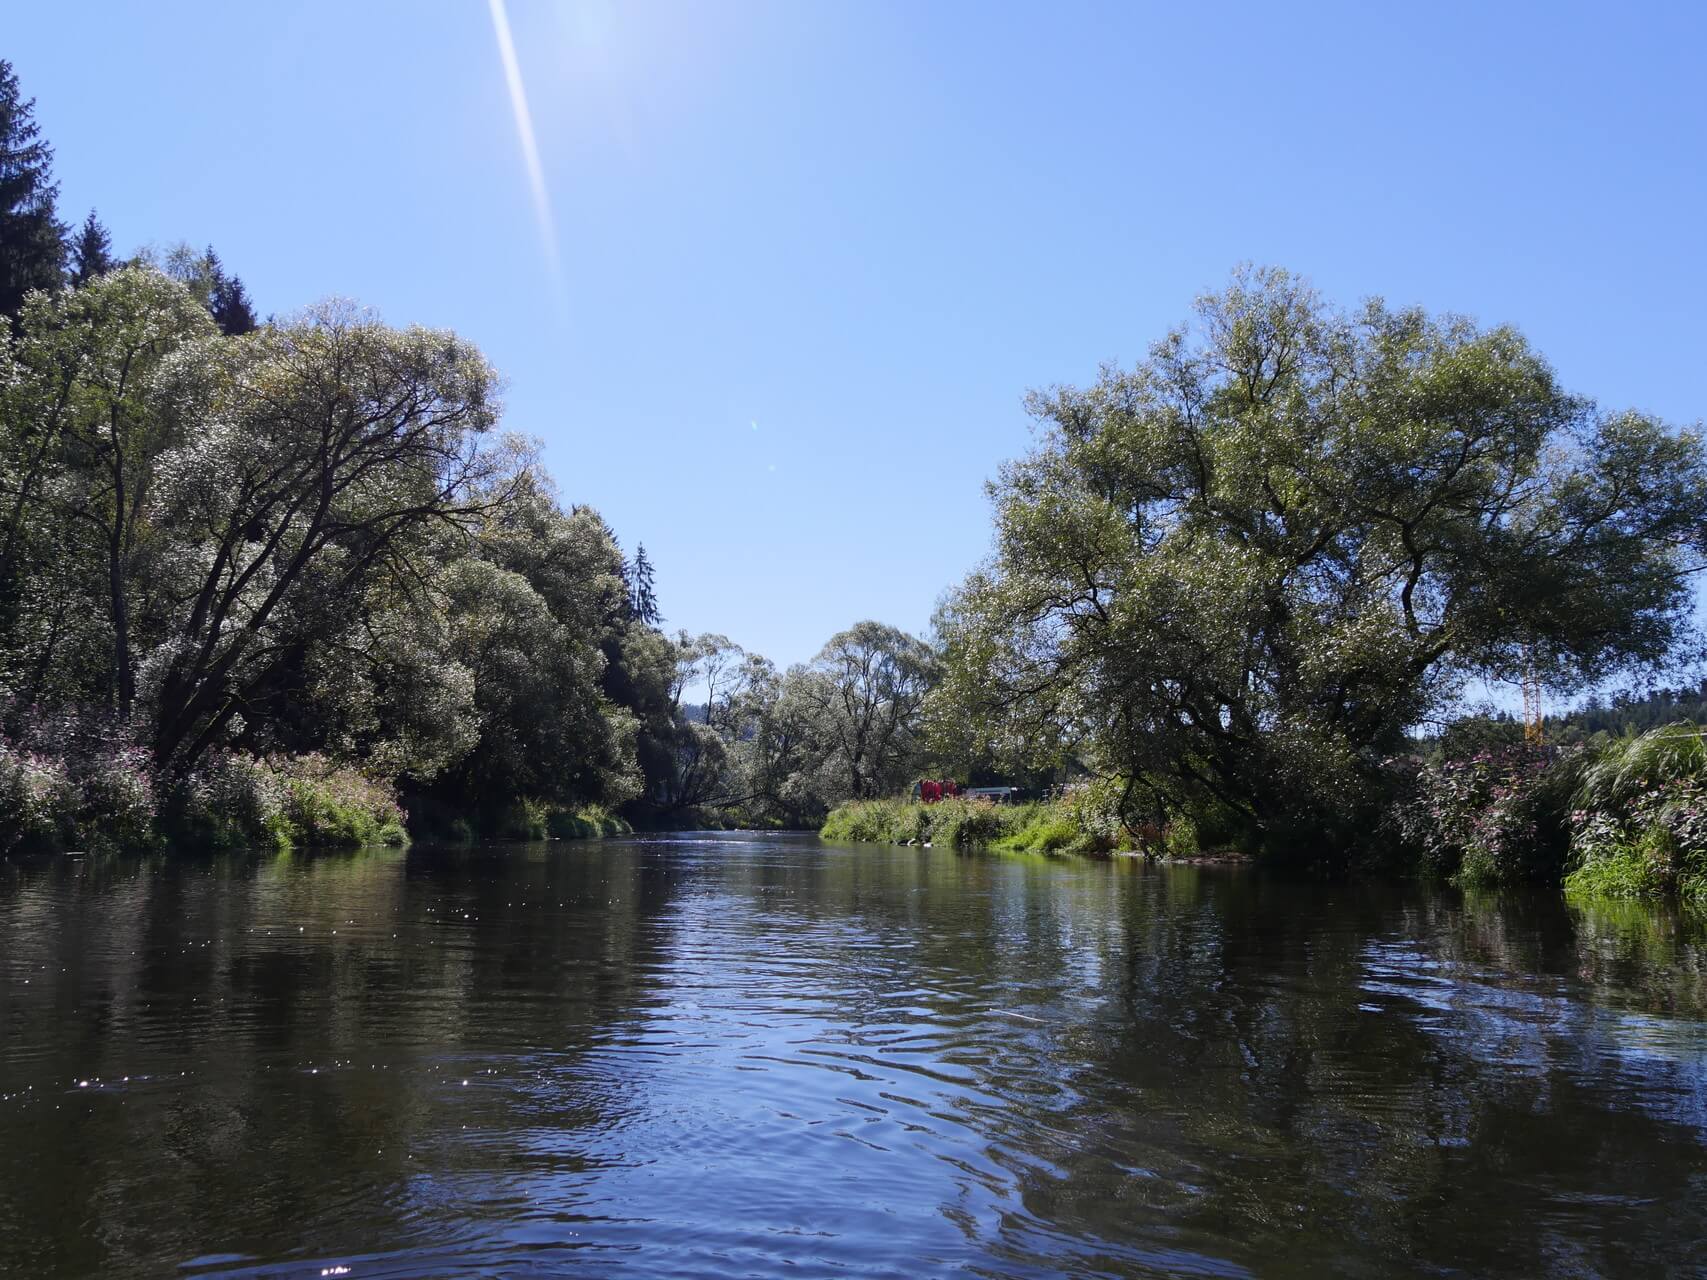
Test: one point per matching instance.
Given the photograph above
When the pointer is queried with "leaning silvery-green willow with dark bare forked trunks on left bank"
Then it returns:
(318, 460)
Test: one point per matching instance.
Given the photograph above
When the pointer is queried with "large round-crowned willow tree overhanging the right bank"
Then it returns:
(1242, 569)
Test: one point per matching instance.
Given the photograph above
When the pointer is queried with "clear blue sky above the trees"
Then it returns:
(815, 253)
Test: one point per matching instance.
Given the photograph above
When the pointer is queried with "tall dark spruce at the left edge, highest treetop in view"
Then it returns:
(32, 238)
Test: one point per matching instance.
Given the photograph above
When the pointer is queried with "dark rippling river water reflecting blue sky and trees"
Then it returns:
(725, 1056)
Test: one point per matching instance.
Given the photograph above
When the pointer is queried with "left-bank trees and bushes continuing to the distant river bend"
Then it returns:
(291, 583)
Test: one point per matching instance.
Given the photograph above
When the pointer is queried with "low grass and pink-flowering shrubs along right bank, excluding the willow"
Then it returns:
(1623, 818)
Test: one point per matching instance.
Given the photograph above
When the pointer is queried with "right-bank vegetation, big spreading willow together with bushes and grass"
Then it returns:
(1233, 581)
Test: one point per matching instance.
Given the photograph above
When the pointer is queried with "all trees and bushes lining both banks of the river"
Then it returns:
(289, 581)
